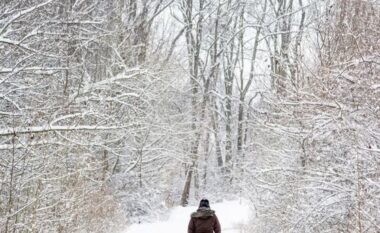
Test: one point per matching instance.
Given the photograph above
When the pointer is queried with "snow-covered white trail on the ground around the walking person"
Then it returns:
(232, 215)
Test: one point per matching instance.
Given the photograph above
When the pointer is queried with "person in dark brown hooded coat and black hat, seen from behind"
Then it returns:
(204, 220)
